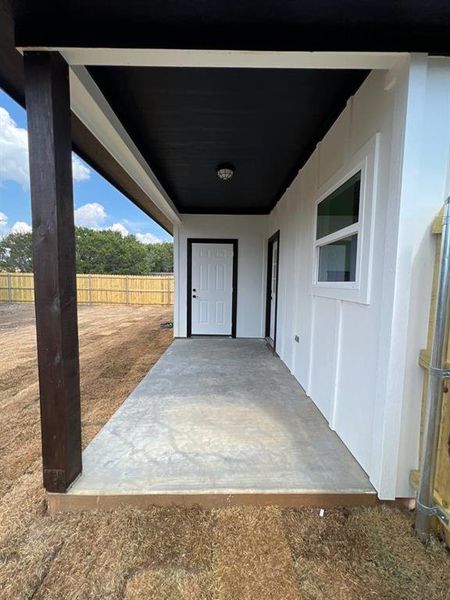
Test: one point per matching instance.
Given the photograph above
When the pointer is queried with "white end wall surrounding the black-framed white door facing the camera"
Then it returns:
(250, 231)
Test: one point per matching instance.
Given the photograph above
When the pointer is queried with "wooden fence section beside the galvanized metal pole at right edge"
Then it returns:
(442, 478)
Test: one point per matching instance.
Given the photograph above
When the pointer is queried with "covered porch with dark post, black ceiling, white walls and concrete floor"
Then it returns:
(296, 122)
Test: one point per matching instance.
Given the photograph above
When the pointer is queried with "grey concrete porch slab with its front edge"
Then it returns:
(217, 421)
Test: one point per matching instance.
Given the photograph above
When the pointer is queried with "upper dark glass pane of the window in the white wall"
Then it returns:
(340, 209)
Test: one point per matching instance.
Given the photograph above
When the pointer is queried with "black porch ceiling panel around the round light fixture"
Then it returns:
(266, 122)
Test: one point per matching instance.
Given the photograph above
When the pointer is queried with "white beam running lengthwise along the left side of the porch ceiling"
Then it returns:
(93, 110)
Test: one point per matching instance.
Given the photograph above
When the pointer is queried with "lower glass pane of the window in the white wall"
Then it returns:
(337, 261)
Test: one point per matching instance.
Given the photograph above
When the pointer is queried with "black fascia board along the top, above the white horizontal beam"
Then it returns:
(407, 25)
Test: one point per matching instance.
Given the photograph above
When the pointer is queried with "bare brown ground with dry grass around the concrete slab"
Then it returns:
(175, 553)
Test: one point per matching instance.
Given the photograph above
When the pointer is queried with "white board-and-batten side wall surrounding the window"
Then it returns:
(336, 359)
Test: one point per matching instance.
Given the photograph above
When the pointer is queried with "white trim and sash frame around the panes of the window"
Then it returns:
(366, 162)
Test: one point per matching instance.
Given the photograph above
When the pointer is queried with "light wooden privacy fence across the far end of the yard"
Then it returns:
(157, 288)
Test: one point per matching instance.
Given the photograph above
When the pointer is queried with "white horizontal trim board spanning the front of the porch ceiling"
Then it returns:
(159, 57)
